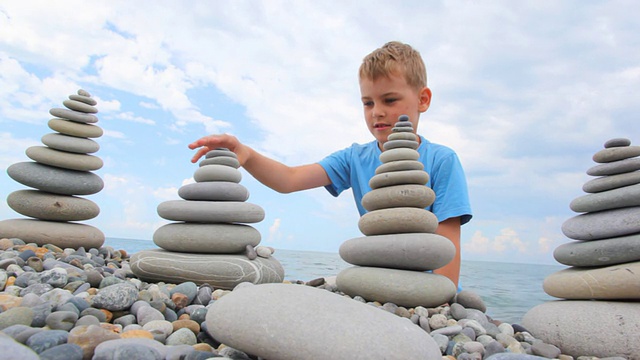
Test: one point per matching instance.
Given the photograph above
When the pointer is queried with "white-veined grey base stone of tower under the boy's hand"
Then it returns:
(219, 271)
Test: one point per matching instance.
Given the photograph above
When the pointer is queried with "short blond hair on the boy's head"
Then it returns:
(395, 57)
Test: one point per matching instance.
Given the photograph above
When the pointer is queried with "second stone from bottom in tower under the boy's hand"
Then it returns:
(206, 238)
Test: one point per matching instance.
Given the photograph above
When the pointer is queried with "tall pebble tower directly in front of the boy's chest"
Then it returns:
(400, 243)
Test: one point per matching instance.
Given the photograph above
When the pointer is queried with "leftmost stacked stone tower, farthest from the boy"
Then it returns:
(59, 171)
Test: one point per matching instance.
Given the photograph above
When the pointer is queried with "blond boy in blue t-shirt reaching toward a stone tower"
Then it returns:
(393, 82)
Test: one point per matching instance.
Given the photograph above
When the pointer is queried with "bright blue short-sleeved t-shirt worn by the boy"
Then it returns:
(354, 166)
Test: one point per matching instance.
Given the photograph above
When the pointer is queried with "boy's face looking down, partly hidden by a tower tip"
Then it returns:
(386, 98)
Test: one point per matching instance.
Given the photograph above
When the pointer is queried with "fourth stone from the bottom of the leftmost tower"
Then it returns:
(63, 159)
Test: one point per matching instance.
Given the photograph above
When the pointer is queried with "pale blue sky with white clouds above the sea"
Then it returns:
(525, 92)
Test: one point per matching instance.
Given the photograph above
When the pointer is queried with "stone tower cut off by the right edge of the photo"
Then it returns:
(605, 264)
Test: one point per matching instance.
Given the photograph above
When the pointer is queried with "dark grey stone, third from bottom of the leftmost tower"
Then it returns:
(55, 180)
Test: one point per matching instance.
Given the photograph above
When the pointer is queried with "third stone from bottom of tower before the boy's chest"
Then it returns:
(398, 220)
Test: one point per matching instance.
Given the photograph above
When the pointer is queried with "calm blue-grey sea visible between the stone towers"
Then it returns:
(509, 290)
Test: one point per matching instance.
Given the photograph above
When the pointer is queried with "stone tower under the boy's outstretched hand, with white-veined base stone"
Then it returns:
(209, 240)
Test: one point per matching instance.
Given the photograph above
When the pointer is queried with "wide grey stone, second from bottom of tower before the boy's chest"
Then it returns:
(413, 251)
